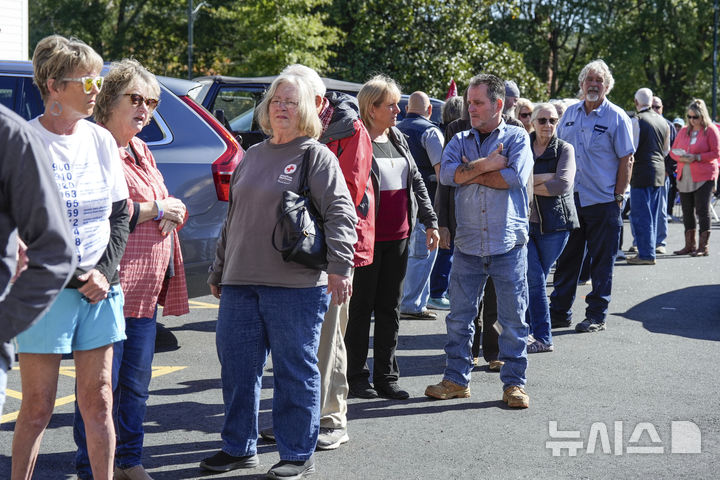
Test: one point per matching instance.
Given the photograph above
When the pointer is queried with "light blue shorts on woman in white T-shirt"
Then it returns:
(72, 323)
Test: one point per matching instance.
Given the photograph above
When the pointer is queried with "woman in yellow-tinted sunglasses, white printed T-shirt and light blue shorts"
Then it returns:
(87, 317)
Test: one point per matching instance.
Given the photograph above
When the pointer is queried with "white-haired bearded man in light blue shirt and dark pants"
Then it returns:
(601, 133)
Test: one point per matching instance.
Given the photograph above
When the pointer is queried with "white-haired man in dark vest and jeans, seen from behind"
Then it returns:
(651, 137)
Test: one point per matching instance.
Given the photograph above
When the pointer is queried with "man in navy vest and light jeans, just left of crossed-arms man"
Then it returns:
(426, 144)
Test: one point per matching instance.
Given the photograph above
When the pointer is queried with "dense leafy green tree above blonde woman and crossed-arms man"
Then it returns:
(422, 44)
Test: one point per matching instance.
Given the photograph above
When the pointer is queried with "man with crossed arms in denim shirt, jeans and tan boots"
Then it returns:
(491, 207)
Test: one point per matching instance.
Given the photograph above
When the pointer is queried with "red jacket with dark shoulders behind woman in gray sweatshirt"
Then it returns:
(347, 137)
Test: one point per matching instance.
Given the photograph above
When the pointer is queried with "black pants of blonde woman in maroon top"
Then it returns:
(376, 288)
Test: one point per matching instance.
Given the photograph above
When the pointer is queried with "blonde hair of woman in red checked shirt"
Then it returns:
(122, 75)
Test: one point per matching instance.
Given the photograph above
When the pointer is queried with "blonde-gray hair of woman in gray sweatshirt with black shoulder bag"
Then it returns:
(308, 120)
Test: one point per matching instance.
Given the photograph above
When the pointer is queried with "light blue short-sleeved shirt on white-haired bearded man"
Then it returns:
(601, 138)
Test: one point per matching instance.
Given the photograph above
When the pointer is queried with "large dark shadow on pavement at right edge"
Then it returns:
(692, 312)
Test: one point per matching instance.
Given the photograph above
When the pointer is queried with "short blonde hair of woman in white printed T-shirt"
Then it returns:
(58, 57)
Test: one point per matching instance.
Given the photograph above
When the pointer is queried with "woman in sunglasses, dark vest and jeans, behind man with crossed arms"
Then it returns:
(552, 216)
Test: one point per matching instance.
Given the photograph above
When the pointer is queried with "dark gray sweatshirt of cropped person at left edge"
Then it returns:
(31, 208)
